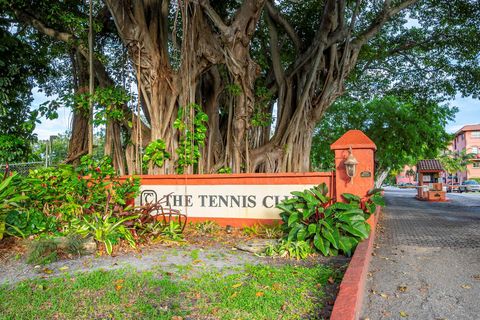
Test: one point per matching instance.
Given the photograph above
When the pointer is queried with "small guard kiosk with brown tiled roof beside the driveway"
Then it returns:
(429, 188)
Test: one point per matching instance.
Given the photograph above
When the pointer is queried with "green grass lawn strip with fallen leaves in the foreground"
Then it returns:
(252, 292)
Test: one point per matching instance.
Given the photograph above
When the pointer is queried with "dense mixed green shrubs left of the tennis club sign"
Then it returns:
(88, 200)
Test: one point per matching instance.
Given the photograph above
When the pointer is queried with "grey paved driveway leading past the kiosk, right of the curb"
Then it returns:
(426, 262)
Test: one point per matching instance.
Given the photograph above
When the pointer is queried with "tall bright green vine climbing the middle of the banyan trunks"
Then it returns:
(192, 124)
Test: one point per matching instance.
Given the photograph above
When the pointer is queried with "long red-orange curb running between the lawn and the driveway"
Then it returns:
(348, 304)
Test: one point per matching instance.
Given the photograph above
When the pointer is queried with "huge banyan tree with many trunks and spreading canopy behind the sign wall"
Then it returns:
(263, 72)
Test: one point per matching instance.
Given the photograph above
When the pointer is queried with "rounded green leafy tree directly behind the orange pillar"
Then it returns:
(404, 131)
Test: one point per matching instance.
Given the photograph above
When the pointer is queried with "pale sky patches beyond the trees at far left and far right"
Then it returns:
(469, 113)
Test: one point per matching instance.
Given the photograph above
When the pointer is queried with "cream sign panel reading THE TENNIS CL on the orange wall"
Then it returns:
(222, 201)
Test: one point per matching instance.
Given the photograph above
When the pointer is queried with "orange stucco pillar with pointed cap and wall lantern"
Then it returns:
(363, 149)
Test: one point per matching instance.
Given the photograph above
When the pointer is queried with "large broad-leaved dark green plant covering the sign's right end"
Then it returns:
(330, 229)
